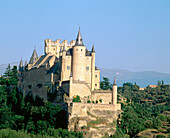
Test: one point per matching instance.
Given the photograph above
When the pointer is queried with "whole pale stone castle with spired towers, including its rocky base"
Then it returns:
(65, 71)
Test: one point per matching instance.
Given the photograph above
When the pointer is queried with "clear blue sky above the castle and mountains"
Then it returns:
(127, 34)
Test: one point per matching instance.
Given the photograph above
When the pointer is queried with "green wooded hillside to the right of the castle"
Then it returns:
(143, 109)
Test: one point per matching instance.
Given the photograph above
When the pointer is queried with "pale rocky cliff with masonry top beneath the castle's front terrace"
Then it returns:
(93, 119)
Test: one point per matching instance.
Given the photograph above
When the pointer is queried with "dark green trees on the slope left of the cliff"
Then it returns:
(27, 117)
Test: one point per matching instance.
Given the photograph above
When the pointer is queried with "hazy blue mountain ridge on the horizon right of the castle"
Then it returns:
(142, 79)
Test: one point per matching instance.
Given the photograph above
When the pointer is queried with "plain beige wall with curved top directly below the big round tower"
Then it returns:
(80, 88)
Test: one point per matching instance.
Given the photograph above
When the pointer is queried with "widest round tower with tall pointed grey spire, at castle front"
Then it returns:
(78, 59)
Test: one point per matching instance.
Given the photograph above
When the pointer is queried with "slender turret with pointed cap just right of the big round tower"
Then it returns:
(92, 68)
